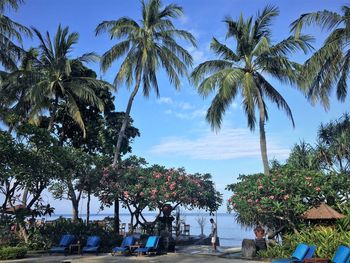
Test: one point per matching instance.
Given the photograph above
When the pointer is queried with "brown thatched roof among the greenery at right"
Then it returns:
(322, 214)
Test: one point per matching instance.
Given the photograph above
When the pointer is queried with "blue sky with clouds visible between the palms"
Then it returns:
(173, 129)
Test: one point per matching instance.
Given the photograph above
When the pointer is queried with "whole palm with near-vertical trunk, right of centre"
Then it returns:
(243, 71)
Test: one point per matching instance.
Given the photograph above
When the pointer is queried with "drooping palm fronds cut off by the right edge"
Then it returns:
(329, 66)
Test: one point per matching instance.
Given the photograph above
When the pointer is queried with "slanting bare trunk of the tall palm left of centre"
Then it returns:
(125, 121)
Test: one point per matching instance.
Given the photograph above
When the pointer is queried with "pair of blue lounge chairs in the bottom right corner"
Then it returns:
(304, 253)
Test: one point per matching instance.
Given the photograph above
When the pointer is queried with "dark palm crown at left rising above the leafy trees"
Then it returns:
(58, 86)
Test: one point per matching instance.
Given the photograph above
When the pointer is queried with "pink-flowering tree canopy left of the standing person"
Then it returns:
(139, 186)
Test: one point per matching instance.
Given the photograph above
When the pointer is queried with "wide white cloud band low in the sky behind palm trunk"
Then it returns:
(229, 143)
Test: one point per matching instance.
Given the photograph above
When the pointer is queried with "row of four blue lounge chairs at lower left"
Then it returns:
(93, 245)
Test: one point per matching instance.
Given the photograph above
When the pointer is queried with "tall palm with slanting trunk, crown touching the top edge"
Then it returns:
(146, 46)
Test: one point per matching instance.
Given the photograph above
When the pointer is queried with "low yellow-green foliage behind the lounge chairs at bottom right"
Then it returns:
(327, 240)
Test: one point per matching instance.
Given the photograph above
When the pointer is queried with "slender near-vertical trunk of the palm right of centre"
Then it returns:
(263, 147)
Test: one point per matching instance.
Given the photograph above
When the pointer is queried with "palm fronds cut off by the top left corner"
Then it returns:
(10, 33)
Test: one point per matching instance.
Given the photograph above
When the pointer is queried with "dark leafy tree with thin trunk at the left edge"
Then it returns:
(31, 163)
